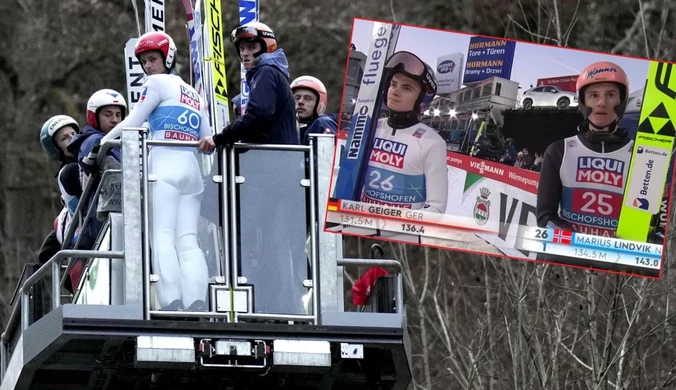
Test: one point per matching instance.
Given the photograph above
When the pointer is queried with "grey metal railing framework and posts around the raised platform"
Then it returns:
(136, 169)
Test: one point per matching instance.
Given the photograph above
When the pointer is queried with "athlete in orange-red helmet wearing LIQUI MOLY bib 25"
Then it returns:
(582, 177)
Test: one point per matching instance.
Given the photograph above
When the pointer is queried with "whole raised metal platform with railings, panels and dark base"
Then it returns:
(275, 316)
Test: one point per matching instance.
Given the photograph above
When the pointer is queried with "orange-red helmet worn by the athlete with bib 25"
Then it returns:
(603, 72)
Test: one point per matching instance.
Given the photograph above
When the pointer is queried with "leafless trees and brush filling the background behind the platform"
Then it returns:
(476, 322)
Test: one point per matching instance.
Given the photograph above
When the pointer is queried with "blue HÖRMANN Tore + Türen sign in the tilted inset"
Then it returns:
(488, 57)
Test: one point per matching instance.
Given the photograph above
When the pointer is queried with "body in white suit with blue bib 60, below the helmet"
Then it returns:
(174, 111)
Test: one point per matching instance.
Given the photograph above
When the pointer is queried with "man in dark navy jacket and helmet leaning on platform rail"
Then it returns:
(270, 115)
